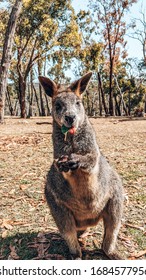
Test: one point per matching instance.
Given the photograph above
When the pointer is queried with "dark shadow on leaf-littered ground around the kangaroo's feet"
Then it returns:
(42, 246)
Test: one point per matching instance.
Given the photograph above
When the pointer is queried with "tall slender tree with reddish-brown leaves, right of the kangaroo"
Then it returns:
(108, 16)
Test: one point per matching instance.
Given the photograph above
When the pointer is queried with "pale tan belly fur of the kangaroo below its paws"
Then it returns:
(86, 203)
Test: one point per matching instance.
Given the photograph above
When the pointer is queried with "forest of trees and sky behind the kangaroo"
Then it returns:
(57, 39)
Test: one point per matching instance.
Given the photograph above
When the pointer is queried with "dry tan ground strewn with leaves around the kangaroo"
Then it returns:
(26, 227)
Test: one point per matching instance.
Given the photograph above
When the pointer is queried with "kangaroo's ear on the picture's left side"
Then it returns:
(49, 86)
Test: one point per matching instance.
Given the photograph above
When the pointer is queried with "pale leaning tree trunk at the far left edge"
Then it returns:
(7, 52)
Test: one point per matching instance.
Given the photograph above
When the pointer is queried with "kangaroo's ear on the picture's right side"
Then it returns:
(80, 85)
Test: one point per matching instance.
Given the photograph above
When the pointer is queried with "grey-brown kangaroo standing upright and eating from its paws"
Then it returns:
(81, 187)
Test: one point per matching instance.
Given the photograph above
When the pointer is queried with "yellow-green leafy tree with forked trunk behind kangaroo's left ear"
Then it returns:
(39, 28)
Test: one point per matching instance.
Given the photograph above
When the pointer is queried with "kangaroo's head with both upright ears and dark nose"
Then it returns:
(67, 107)
